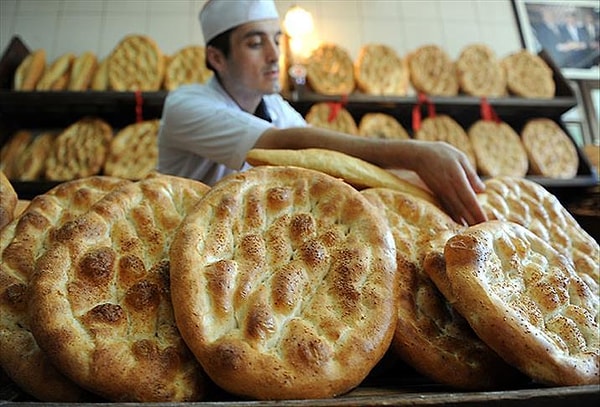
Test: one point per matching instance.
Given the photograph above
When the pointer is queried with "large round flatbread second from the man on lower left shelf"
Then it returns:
(79, 150)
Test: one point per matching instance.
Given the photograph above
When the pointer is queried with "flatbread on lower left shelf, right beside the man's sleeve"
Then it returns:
(133, 152)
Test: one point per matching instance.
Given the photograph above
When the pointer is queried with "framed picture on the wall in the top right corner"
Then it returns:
(568, 31)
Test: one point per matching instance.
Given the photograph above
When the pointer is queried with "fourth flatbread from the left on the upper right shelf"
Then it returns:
(479, 72)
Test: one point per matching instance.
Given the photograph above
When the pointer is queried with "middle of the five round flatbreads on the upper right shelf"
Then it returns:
(432, 71)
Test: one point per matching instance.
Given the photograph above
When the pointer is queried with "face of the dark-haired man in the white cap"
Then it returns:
(253, 64)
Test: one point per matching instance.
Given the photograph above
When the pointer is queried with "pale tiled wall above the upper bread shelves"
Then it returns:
(76, 26)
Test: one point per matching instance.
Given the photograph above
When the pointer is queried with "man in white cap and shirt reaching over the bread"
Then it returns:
(207, 130)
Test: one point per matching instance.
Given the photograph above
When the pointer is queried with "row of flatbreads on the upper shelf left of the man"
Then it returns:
(135, 64)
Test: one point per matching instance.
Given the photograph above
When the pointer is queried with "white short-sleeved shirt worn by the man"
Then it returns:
(205, 135)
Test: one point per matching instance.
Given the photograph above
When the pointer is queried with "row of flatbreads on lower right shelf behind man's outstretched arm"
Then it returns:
(494, 148)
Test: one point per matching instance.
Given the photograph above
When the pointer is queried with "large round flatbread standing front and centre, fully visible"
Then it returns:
(283, 283)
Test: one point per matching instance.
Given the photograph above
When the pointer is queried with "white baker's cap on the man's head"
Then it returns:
(218, 16)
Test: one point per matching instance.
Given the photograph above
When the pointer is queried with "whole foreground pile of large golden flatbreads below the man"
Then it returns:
(291, 280)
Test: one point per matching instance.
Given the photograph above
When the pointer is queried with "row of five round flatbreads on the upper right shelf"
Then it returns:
(477, 71)
